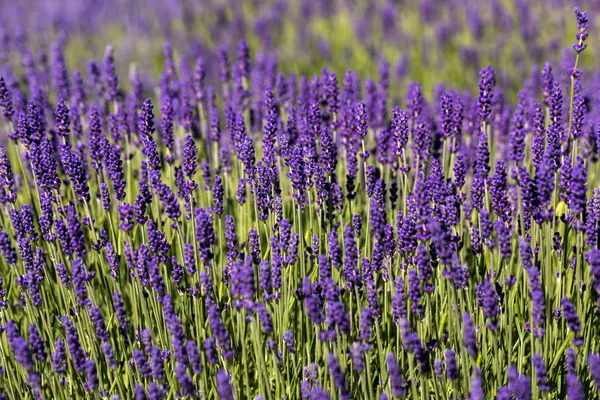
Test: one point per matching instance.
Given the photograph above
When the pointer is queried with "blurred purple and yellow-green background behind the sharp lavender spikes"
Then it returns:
(429, 41)
